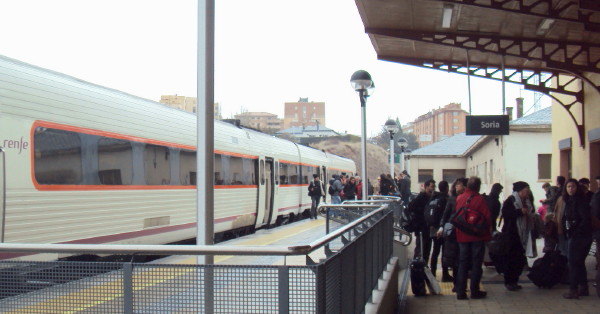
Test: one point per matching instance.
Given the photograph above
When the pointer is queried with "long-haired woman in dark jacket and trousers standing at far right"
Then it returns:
(577, 225)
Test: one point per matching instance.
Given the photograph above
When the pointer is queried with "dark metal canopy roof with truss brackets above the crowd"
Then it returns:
(546, 45)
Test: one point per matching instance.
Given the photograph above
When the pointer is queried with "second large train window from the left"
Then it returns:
(115, 161)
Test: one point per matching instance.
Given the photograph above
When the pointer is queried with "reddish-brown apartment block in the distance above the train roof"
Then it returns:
(303, 113)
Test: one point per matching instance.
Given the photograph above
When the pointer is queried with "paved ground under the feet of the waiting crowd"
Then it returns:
(529, 300)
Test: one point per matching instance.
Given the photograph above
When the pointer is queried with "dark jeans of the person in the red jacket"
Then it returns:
(470, 252)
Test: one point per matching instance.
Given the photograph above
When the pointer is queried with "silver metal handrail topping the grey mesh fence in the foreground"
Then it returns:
(280, 250)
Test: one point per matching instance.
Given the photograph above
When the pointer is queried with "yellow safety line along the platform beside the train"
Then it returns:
(112, 290)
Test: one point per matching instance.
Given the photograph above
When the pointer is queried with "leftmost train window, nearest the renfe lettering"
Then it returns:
(57, 156)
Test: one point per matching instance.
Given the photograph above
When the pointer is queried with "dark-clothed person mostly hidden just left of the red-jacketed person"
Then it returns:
(450, 248)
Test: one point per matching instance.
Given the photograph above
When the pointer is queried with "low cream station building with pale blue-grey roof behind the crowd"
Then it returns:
(523, 155)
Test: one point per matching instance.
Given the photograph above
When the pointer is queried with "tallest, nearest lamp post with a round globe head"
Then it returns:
(363, 84)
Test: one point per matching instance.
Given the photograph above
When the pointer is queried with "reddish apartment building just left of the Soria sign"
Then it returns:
(439, 124)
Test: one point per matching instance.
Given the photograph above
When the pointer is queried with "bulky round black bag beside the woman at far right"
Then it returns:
(548, 270)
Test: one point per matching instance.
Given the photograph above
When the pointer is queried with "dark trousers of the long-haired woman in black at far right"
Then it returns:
(578, 249)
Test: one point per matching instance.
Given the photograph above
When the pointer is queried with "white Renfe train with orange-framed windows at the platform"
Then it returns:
(83, 163)
